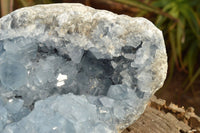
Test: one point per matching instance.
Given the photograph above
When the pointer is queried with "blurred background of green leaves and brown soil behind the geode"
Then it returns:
(180, 22)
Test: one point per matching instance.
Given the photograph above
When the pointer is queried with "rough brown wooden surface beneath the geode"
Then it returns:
(162, 118)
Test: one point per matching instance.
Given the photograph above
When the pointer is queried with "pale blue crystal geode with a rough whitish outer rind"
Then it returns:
(68, 68)
